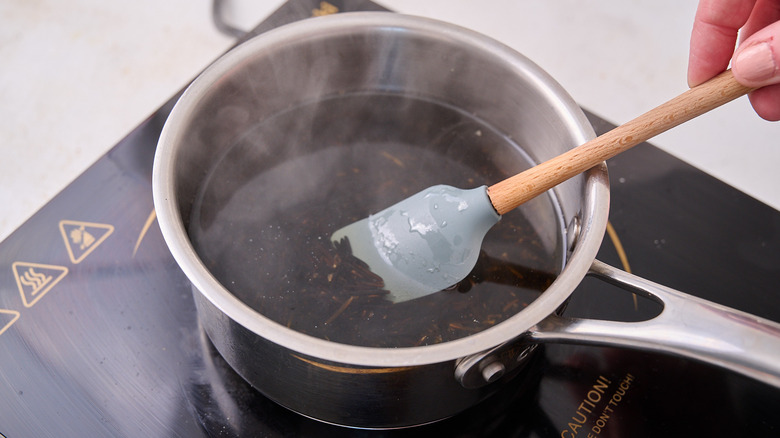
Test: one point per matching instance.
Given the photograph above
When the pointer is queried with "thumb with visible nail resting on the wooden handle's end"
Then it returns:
(756, 62)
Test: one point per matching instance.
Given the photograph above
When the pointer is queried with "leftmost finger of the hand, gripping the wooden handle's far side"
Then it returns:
(714, 36)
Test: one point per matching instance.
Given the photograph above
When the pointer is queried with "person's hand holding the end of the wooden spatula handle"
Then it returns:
(755, 63)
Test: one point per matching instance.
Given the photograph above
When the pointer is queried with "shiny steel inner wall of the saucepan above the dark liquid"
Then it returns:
(477, 78)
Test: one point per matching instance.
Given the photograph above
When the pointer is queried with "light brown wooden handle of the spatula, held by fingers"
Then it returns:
(513, 191)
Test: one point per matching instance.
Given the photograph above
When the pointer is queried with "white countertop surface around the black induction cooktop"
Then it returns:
(77, 76)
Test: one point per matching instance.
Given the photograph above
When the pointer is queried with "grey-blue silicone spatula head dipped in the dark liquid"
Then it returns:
(425, 243)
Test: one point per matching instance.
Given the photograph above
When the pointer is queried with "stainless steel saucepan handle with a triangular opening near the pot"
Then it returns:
(687, 326)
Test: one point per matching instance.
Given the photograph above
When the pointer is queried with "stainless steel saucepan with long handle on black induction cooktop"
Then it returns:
(402, 59)
